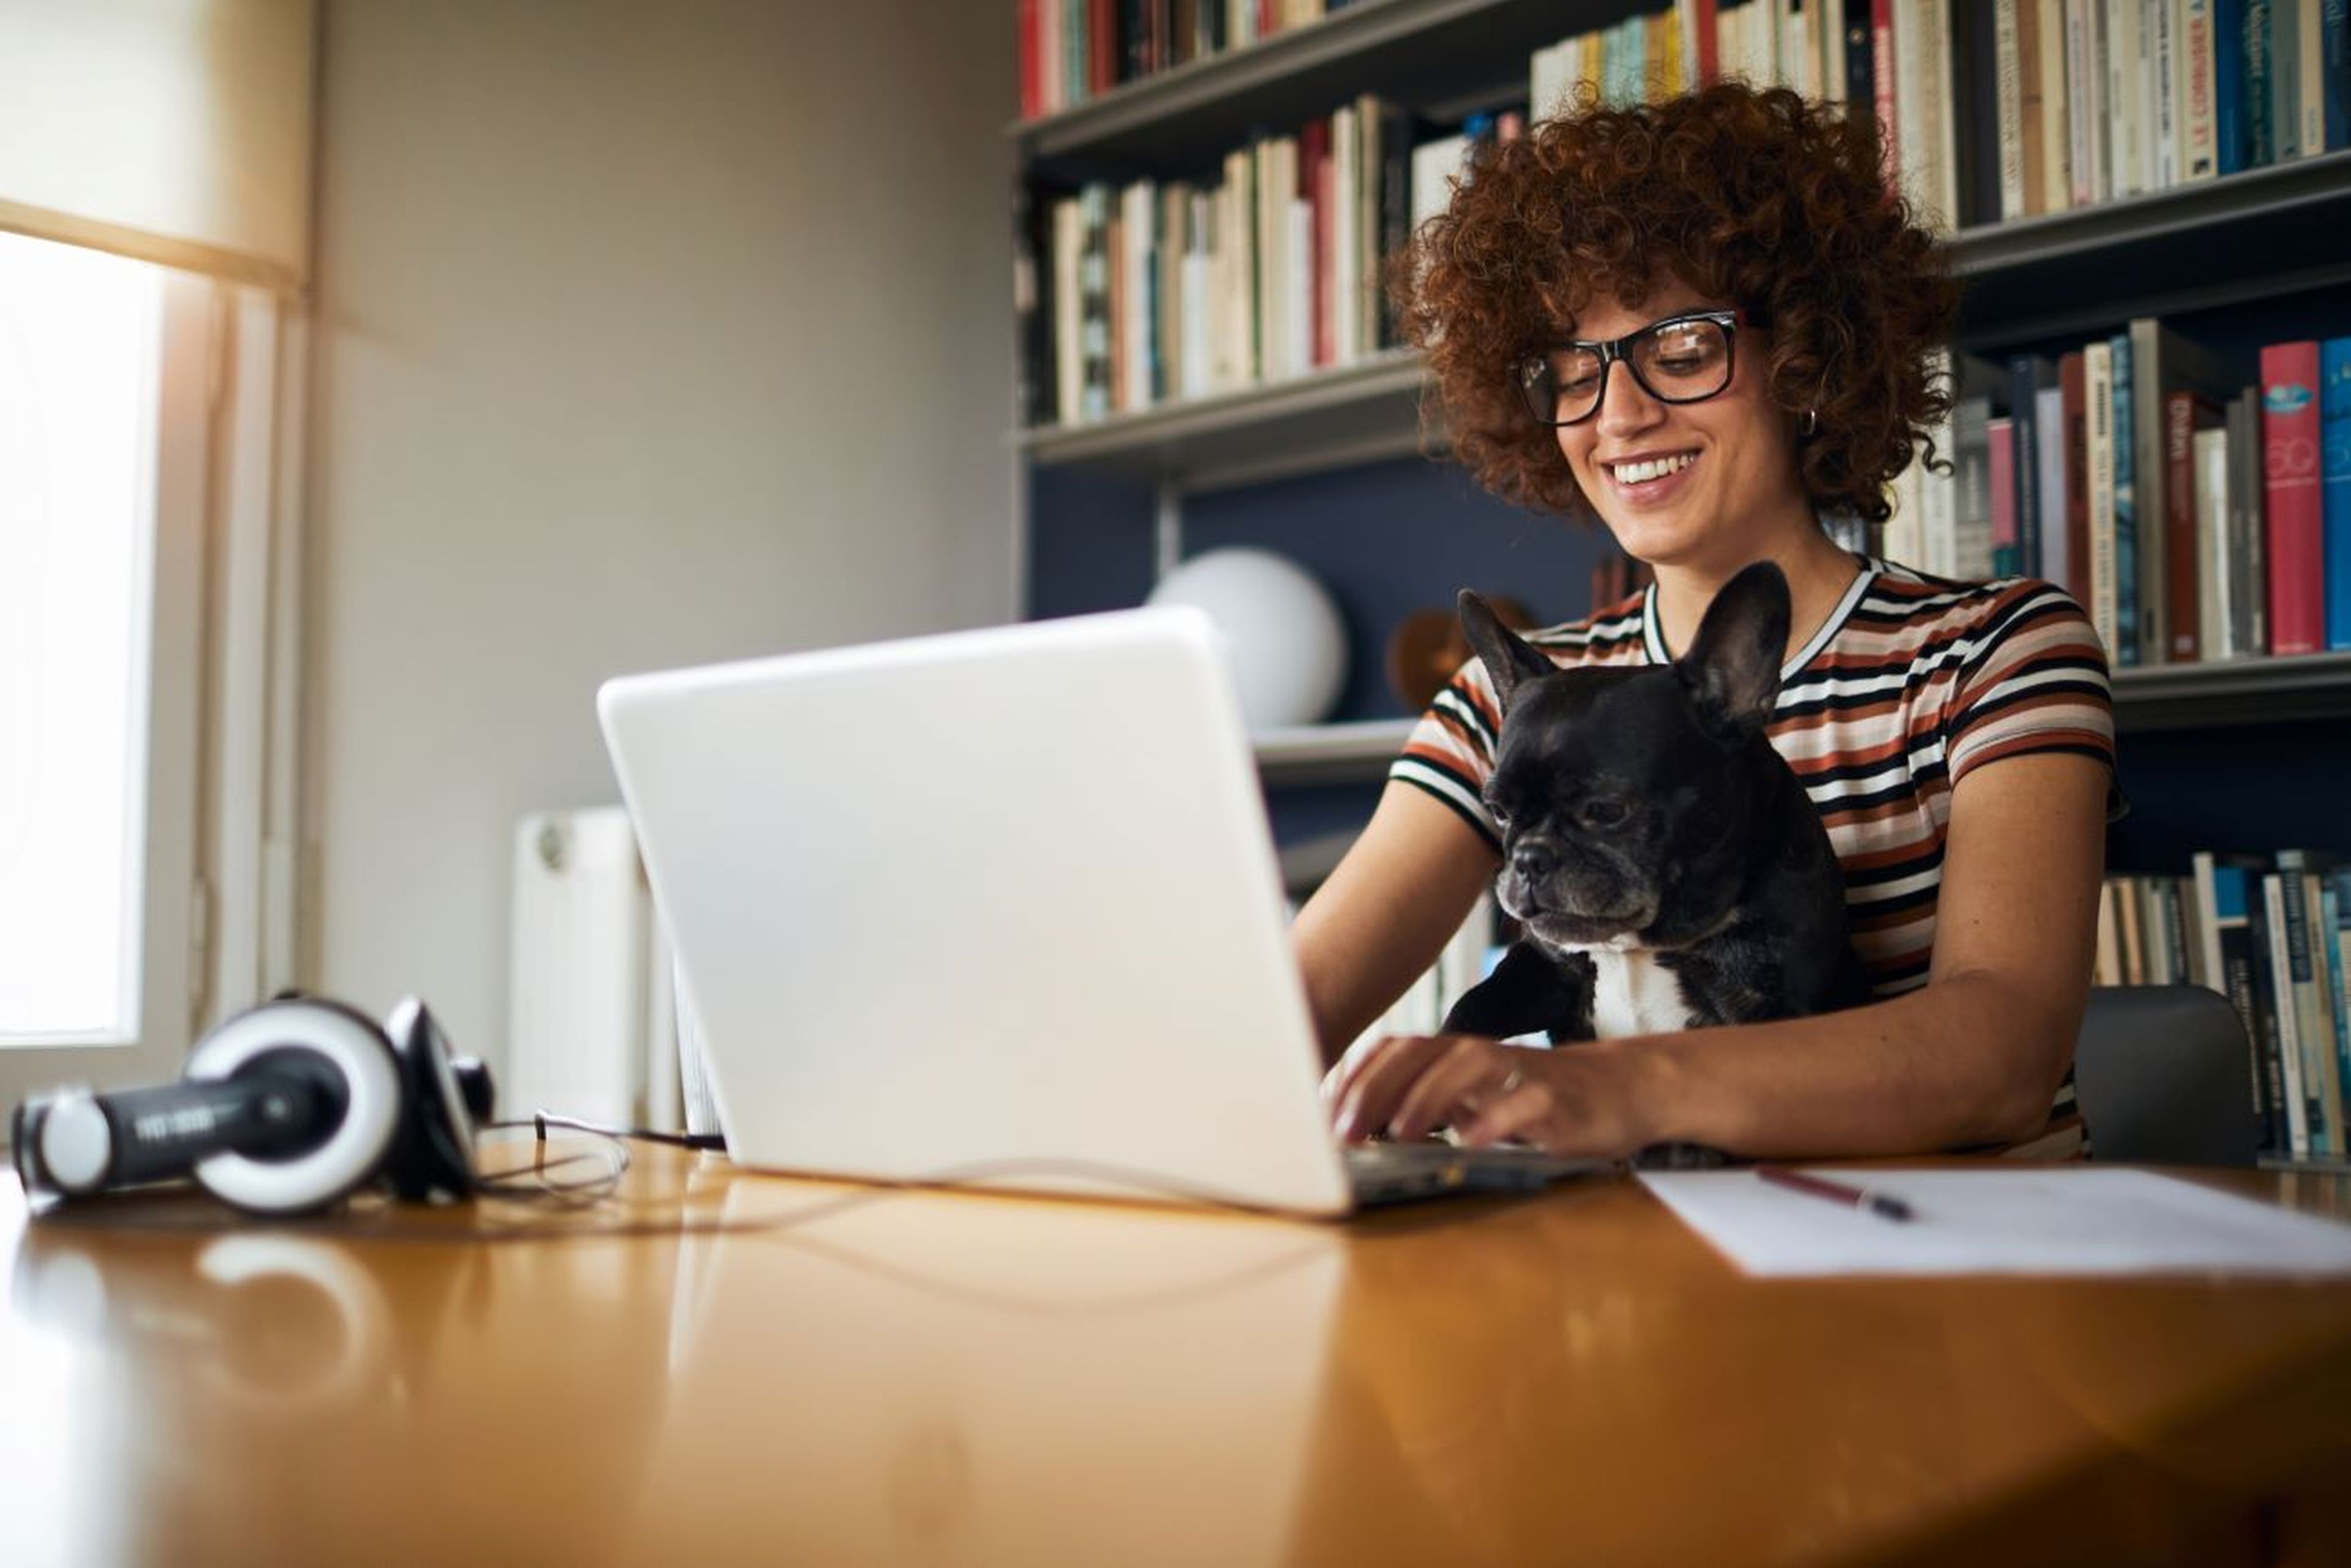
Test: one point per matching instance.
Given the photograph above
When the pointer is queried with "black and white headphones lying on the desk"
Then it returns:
(281, 1111)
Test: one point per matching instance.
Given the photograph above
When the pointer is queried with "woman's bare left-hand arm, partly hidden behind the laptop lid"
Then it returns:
(1388, 911)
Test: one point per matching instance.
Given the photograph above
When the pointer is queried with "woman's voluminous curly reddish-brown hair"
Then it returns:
(1750, 196)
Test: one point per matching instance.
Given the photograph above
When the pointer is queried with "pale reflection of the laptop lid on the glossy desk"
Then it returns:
(960, 1379)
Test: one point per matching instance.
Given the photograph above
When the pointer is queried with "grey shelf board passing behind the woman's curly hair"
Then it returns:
(2030, 281)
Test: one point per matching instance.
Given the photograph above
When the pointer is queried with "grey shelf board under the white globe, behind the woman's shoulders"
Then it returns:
(2162, 697)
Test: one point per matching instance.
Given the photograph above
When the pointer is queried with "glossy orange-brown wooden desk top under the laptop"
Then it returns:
(956, 1379)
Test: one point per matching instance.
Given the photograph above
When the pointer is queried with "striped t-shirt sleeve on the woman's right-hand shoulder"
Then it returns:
(2035, 681)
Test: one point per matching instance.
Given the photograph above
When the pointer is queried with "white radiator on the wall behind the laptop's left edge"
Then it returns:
(591, 1000)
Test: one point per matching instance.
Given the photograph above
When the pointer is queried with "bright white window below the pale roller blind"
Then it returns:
(105, 373)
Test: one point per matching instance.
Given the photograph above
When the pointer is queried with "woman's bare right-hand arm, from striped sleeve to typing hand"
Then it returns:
(1974, 1057)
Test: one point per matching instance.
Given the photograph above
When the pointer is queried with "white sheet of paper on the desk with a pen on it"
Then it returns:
(2042, 1221)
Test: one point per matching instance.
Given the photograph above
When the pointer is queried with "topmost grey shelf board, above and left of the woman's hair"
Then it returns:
(1438, 58)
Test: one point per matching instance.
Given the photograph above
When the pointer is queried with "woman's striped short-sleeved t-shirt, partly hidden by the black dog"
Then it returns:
(1908, 688)
